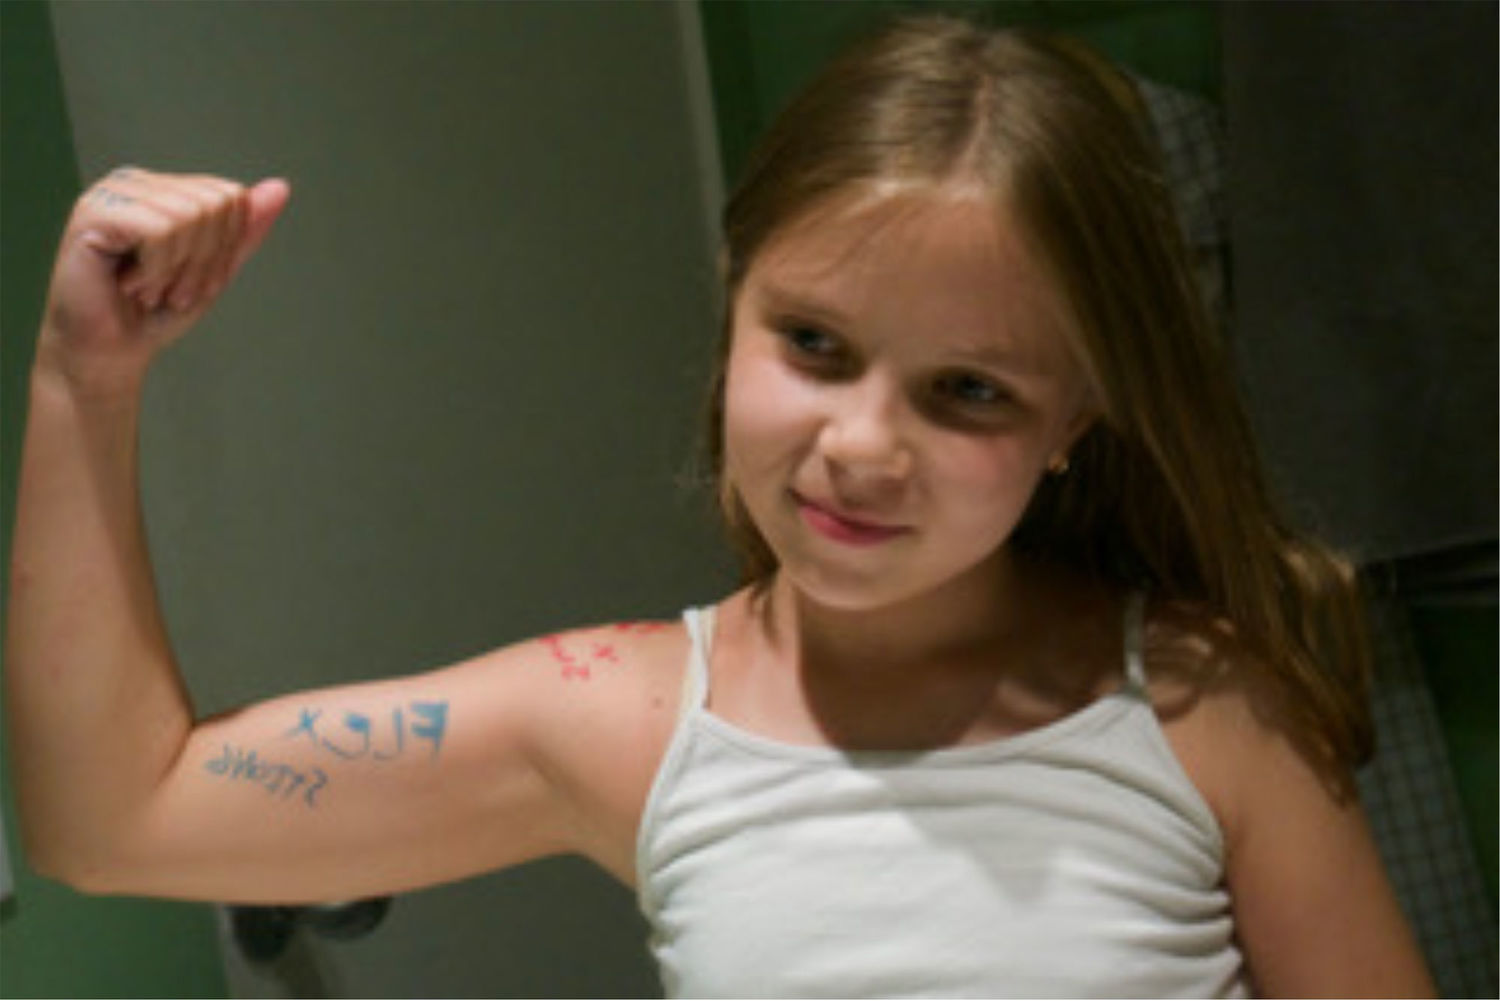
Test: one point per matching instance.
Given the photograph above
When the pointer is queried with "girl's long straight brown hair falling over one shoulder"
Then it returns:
(1166, 491)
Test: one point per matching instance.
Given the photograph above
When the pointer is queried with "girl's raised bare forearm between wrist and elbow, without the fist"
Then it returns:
(97, 712)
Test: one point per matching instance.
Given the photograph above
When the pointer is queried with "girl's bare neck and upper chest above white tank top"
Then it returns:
(1012, 649)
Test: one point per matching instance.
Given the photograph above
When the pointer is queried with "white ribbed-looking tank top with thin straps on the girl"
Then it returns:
(1073, 861)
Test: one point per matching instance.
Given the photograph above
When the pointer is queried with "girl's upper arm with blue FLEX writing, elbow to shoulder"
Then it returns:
(397, 784)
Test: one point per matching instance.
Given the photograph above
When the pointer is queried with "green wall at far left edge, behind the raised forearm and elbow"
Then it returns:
(56, 943)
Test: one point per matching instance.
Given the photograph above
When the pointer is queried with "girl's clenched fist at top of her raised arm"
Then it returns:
(142, 260)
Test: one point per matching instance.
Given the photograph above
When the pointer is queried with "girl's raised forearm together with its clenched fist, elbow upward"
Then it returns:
(97, 711)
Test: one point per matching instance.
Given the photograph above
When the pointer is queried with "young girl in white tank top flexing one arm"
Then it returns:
(1030, 691)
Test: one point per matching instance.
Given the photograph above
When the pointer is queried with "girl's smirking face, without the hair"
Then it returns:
(898, 382)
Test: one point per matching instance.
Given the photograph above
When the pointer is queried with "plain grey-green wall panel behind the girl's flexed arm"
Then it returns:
(449, 404)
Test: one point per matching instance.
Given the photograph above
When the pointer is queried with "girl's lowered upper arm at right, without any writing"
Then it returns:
(1315, 912)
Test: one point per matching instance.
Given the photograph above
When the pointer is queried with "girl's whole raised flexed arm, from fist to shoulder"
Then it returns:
(316, 796)
